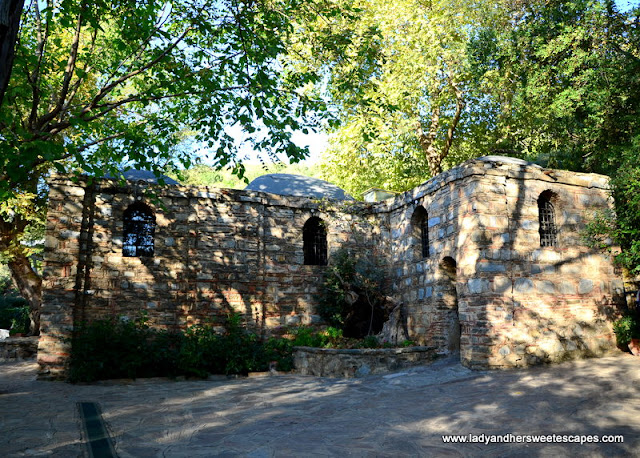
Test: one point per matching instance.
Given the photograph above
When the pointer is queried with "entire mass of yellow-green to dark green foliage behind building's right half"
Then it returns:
(551, 81)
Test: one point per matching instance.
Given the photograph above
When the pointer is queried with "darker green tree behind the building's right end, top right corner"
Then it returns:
(561, 84)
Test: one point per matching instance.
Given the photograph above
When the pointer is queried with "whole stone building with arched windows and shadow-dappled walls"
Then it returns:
(487, 259)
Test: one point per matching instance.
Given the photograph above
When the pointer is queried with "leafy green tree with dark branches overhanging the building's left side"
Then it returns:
(101, 85)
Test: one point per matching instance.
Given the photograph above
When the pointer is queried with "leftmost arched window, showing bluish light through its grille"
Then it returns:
(139, 226)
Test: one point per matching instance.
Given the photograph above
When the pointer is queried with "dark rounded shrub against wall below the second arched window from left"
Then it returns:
(352, 298)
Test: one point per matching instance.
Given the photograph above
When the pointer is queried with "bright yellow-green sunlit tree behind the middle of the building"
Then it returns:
(397, 77)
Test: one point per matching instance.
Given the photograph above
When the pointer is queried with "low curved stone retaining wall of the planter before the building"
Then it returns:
(331, 362)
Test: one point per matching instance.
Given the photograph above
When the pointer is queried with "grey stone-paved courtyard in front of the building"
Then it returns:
(400, 414)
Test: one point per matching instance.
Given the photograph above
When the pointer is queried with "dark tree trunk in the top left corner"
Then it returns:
(10, 12)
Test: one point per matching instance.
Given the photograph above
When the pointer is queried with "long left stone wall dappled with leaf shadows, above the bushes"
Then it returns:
(216, 251)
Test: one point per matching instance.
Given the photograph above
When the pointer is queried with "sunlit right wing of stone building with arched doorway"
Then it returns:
(513, 302)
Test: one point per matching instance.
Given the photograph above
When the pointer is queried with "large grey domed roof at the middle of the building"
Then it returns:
(286, 184)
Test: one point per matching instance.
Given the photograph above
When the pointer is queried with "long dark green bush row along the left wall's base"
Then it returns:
(110, 348)
